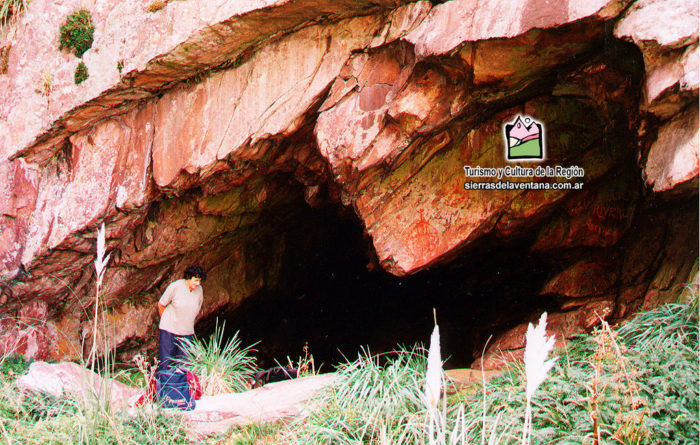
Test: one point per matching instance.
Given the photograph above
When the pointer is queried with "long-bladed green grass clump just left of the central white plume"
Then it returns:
(372, 403)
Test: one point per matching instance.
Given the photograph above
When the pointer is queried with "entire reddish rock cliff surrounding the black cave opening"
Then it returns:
(226, 115)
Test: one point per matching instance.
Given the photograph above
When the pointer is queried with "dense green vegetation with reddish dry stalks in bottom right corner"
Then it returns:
(638, 384)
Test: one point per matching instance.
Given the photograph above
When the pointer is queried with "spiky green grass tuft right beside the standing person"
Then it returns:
(222, 367)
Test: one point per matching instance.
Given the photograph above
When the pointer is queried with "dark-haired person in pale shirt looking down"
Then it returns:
(178, 308)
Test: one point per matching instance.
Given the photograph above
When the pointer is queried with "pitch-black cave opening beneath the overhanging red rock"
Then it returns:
(329, 300)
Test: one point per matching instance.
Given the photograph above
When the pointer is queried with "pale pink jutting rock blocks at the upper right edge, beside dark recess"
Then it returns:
(669, 47)
